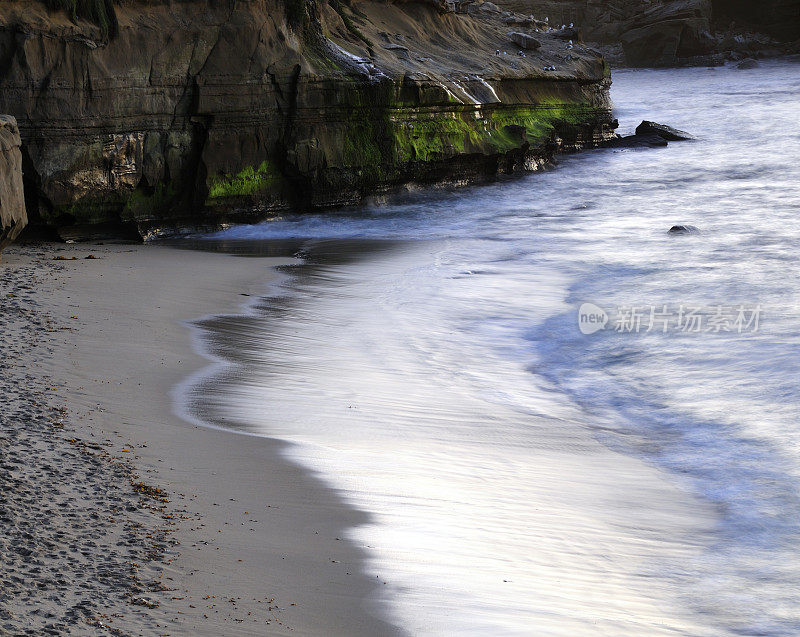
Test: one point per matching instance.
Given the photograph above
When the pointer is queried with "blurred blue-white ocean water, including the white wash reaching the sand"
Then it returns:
(425, 357)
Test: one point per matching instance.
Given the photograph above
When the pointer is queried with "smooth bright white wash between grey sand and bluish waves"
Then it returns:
(455, 555)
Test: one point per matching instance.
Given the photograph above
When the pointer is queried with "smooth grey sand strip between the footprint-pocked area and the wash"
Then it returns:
(258, 536)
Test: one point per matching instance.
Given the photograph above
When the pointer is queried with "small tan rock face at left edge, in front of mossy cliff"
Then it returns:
(12, 203)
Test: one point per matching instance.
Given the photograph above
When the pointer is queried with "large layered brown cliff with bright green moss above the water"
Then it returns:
(203, 112)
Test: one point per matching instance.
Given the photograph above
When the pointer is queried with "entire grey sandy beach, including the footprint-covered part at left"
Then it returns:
(247, 543)
